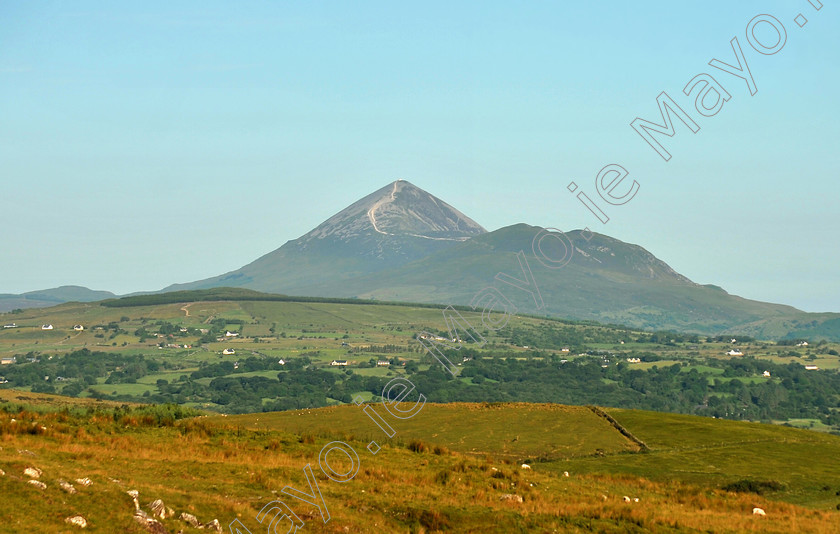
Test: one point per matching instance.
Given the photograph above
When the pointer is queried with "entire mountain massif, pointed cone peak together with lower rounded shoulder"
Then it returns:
(400, 243)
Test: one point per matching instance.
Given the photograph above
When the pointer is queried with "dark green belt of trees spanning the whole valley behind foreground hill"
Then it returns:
(734, 388)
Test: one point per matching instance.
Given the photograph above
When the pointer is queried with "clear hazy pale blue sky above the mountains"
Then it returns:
(147, 143)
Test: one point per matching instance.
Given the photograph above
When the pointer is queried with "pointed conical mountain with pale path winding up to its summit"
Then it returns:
(393, 226)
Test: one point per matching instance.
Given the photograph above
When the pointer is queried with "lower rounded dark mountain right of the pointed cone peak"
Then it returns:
(606, 280)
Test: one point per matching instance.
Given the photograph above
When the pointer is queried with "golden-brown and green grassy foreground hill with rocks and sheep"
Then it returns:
(437, 474)
